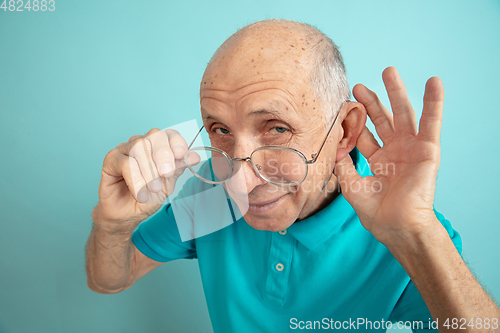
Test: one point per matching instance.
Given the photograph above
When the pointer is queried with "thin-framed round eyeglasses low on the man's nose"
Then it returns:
(280, 166)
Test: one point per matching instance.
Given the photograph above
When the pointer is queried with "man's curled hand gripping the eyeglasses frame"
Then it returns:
(138, 175)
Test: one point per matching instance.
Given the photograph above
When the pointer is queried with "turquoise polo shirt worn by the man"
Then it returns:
(325, 272)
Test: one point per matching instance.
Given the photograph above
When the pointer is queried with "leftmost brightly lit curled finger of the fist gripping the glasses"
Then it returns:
(142, 153)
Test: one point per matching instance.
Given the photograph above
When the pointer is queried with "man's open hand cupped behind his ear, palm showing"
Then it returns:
(397, 201)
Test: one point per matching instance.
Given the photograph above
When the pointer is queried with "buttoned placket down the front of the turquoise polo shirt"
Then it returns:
(279, 265)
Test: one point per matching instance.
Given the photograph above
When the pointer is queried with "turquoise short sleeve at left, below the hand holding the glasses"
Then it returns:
(158, 238)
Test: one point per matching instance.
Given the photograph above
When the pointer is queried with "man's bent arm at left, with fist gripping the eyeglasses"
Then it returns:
(137, 177)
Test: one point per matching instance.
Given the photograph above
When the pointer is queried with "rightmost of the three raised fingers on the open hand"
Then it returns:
(432, 114)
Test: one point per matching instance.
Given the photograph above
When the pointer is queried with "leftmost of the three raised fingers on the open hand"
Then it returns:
(378, 113)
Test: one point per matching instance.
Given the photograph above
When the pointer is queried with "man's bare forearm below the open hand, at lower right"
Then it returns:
(443, 279)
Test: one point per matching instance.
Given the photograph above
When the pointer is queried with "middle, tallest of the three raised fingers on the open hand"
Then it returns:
(404, 116)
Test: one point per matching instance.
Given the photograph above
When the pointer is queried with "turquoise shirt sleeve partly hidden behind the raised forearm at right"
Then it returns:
(411, 306)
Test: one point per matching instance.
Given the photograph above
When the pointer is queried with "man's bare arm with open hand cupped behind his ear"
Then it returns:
(399, 209)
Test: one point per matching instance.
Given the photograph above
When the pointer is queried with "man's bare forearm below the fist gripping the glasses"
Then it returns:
(109, 256)
